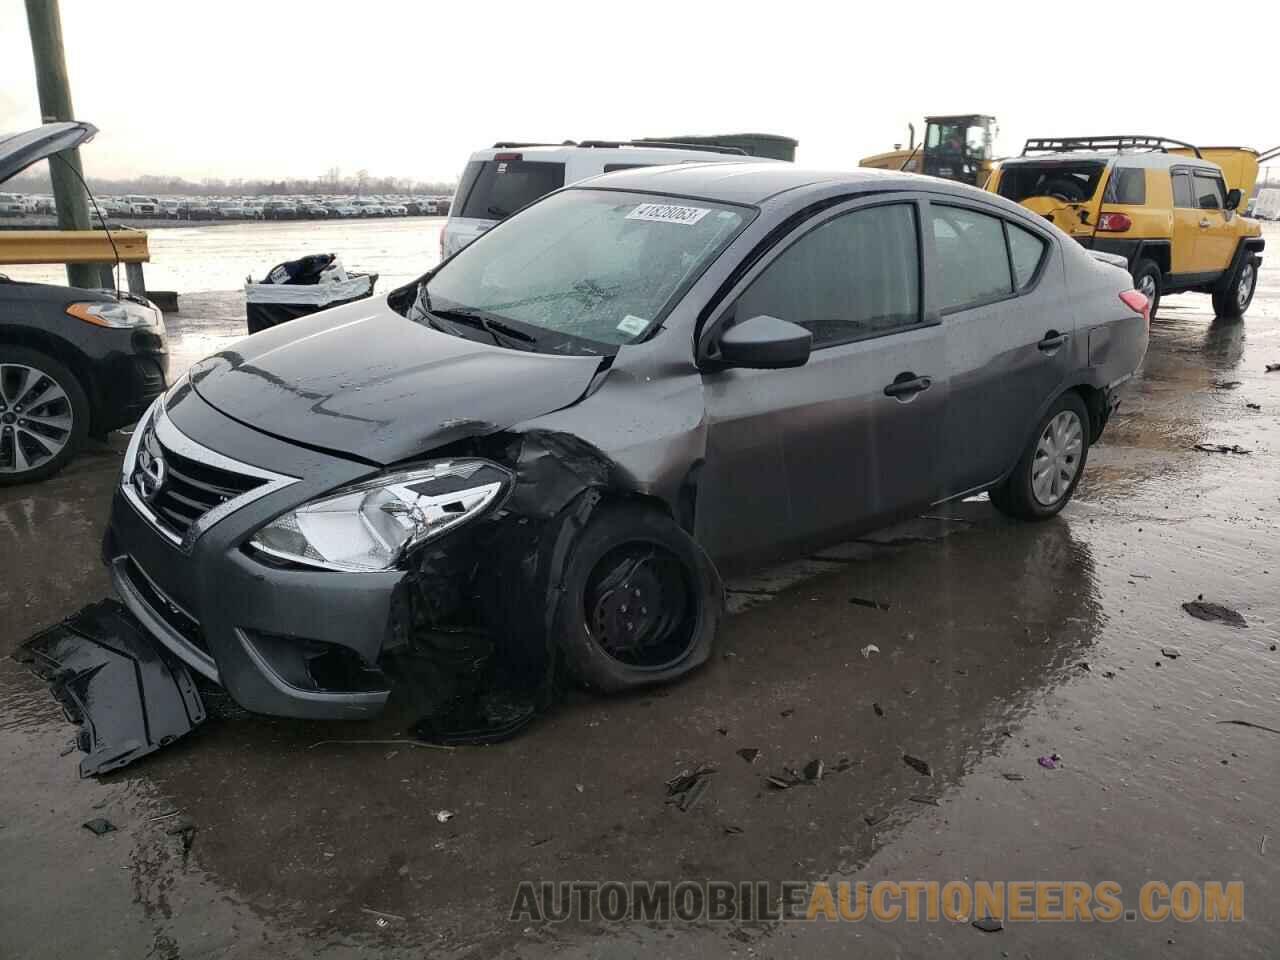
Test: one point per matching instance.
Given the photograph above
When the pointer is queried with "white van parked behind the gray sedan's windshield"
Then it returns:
(500, 181)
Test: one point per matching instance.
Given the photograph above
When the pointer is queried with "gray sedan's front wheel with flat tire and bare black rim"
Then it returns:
(642, 602)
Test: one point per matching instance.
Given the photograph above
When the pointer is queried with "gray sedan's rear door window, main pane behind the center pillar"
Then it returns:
(973, 263)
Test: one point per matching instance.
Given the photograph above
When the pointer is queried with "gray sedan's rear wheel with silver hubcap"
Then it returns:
(1052, 467)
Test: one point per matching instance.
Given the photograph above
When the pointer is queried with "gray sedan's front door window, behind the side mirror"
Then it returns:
(853, 277)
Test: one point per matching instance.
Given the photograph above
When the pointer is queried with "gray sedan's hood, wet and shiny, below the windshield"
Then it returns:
(363, 381)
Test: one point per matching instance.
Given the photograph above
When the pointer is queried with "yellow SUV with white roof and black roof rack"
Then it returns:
(1158, 203)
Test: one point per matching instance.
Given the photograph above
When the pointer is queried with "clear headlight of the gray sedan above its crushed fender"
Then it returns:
(372, 525)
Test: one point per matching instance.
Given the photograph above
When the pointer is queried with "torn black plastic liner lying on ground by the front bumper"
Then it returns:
(127, 694)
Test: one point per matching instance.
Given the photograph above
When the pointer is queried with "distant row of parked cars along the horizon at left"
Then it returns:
(237, 209)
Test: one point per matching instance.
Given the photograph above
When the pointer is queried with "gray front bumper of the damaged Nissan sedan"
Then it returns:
(282, 641)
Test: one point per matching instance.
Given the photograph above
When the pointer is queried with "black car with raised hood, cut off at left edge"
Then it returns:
(74, 363)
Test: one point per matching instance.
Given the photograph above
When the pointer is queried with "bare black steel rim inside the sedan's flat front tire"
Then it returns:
(642, 607)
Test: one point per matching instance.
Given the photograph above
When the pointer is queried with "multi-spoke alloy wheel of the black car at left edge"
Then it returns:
(44, 415)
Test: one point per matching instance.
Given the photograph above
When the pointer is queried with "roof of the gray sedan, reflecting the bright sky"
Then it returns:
(734, 182)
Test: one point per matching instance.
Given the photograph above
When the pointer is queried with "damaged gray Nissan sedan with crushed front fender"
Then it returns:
(554, 446)
